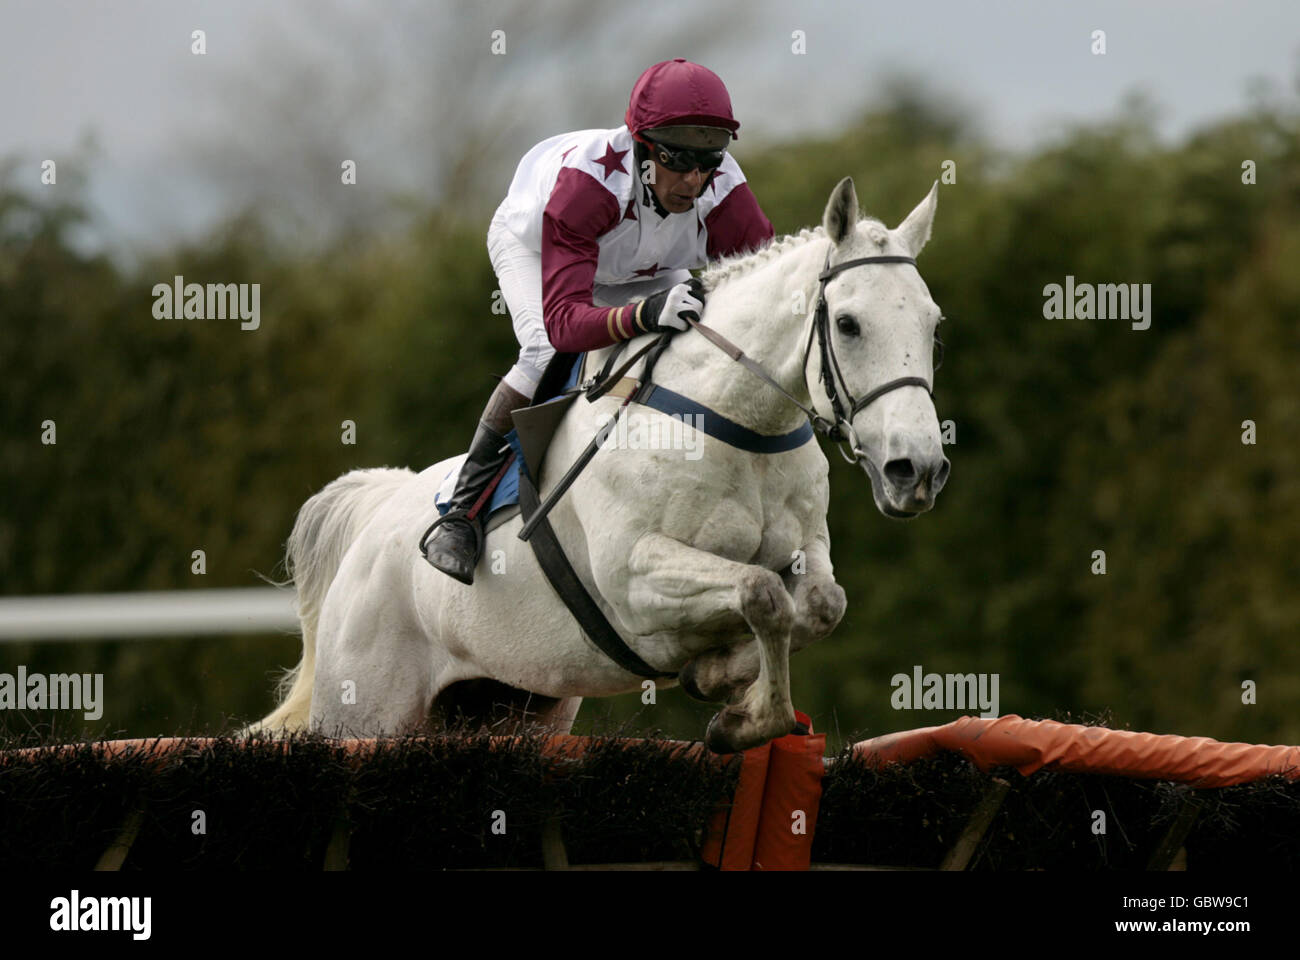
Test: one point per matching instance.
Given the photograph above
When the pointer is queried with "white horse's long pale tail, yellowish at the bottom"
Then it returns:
(326, 527)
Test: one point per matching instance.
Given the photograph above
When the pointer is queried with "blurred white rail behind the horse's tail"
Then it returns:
(137, 616)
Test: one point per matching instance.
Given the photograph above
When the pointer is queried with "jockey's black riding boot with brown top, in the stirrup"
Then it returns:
(456, 542)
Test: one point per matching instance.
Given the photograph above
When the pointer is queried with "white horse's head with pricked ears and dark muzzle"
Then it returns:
(870, 365)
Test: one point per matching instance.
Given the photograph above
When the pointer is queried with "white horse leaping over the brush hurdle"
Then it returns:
(716, 564)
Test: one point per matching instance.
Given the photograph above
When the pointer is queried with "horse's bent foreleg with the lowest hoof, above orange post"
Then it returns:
(674, 587)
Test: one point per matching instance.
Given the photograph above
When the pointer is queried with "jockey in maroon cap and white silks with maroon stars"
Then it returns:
(595, 244)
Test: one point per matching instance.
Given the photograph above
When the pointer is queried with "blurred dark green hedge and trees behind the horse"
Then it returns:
(1072, 435)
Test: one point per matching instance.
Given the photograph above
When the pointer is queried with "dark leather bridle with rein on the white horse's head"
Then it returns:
(844, 409)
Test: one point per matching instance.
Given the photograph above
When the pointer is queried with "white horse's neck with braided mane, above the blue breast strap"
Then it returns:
(755, 312)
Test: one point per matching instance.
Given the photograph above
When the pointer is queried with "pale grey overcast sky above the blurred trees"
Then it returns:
(171, 124)
